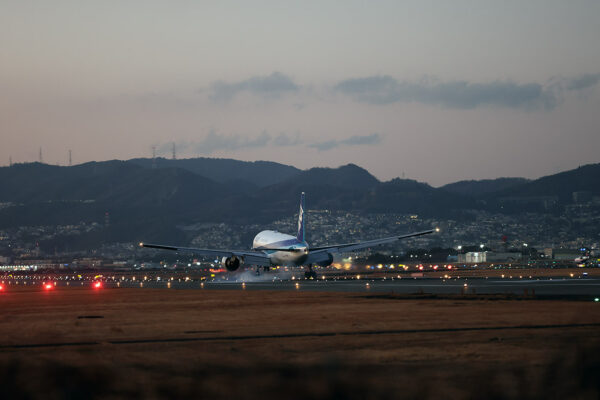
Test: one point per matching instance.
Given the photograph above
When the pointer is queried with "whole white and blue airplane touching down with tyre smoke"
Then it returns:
(272, 248)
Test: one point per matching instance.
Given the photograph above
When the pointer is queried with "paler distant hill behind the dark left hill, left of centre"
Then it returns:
(223, 170)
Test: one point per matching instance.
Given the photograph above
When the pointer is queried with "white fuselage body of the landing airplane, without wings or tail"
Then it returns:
(266, 240)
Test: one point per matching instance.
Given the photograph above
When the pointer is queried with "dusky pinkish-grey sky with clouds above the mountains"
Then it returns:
(436, 91)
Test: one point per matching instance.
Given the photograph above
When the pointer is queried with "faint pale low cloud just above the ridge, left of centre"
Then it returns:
(214, 142)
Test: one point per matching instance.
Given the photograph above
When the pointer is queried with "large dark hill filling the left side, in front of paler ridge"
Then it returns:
(137, 199)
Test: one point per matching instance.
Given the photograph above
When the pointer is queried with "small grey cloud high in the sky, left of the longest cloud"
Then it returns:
(273, 85)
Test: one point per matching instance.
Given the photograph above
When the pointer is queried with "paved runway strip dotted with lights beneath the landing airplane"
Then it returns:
(580, 285)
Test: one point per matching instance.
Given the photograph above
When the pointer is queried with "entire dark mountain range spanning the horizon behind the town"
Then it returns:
(151, 198)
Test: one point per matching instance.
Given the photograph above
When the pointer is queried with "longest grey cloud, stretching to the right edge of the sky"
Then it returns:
(461, 94)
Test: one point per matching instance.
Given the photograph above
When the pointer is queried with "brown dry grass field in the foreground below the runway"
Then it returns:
(153, 343)
